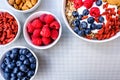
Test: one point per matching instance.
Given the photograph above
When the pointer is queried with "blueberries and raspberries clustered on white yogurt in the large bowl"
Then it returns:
(89, 20)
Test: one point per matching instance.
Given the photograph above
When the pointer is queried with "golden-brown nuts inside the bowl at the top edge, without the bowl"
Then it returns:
(22, 4)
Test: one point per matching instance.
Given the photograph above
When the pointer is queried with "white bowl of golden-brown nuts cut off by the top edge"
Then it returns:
(23, 6)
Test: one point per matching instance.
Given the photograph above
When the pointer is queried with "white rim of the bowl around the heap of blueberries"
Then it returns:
(3, 56)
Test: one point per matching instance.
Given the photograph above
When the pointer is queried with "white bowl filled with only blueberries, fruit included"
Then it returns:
(18, 63)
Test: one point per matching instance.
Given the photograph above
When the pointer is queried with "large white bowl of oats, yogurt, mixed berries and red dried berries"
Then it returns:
(92, 20)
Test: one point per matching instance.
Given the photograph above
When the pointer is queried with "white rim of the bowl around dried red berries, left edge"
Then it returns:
(19, 29)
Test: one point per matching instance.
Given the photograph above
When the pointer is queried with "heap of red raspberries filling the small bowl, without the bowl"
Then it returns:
(43, 30)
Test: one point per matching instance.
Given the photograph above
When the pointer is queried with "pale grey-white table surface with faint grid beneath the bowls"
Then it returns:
(71, 58)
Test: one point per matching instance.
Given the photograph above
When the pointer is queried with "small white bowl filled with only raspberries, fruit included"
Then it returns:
(42, 30)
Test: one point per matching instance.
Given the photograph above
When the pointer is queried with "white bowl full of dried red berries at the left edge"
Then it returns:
(9, 28)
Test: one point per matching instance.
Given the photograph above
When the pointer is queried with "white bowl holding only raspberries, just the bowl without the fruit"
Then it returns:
(26, 35)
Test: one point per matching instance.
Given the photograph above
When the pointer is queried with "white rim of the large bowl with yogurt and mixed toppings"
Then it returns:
(85, 39)
